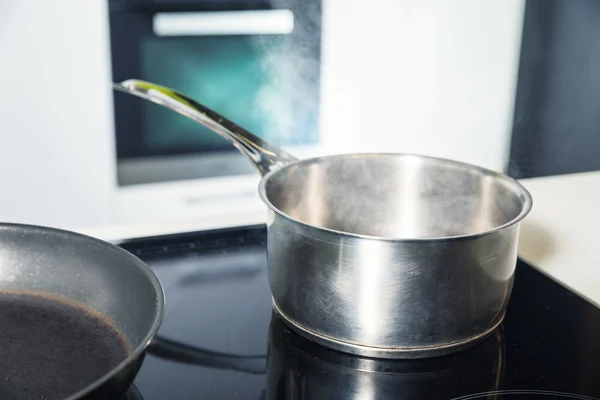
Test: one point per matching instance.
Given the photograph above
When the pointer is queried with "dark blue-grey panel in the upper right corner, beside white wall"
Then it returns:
(557, 110)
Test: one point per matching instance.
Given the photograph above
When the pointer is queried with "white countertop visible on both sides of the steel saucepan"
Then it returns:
(558, 237)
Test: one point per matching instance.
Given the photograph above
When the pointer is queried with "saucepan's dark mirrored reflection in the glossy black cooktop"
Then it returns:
(299, 369)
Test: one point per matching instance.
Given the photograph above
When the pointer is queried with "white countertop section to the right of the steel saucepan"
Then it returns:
(559, 236)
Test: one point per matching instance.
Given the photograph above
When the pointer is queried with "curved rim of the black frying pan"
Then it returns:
(134, 261)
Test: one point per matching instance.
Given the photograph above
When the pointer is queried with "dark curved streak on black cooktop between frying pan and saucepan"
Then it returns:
(183, 353)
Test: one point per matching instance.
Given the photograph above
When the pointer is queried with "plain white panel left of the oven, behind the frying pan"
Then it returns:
(56, 145)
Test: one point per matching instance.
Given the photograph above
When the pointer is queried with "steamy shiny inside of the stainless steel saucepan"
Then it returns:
(395, 196)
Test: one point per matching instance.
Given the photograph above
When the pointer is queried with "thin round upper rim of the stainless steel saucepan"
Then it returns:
(519, 189)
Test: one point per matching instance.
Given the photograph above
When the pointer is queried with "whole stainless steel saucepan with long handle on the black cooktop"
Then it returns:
(383, 255)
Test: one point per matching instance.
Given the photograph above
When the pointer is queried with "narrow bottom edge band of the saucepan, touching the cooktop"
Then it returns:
(385, 352)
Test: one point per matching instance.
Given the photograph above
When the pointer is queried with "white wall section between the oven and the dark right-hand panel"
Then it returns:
(430, 76)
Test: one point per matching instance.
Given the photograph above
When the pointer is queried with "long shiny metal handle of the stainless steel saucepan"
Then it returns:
(264, 155)
